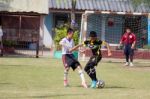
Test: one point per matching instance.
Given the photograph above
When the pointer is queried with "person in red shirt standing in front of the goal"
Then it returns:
(129, 41)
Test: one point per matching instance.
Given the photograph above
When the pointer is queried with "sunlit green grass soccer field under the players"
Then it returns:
(31, 78)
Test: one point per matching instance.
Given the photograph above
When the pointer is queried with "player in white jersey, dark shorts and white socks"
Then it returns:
(69, 59)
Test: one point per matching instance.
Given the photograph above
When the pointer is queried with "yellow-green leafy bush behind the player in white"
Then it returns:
(61, 32)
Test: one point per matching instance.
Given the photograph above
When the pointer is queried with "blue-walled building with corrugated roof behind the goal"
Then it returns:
(109, 26)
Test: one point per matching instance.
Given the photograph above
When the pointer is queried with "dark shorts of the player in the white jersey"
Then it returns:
(69, 60)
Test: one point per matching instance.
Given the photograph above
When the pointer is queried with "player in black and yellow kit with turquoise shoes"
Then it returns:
(95, 46)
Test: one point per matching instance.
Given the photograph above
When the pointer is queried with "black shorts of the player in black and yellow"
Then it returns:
(94, 60)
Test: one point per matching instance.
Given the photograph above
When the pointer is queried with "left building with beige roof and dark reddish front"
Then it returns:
(22, 24)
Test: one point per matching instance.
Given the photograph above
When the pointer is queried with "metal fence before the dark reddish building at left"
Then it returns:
(20, 36)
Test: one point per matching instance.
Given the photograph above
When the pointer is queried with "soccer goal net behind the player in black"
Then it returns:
(110, 27)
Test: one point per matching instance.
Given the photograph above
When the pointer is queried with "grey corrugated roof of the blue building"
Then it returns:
(99, 5)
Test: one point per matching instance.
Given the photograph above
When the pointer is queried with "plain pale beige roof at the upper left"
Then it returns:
(35, 6)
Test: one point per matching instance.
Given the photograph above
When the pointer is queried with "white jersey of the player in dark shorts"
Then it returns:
(66, 45)
